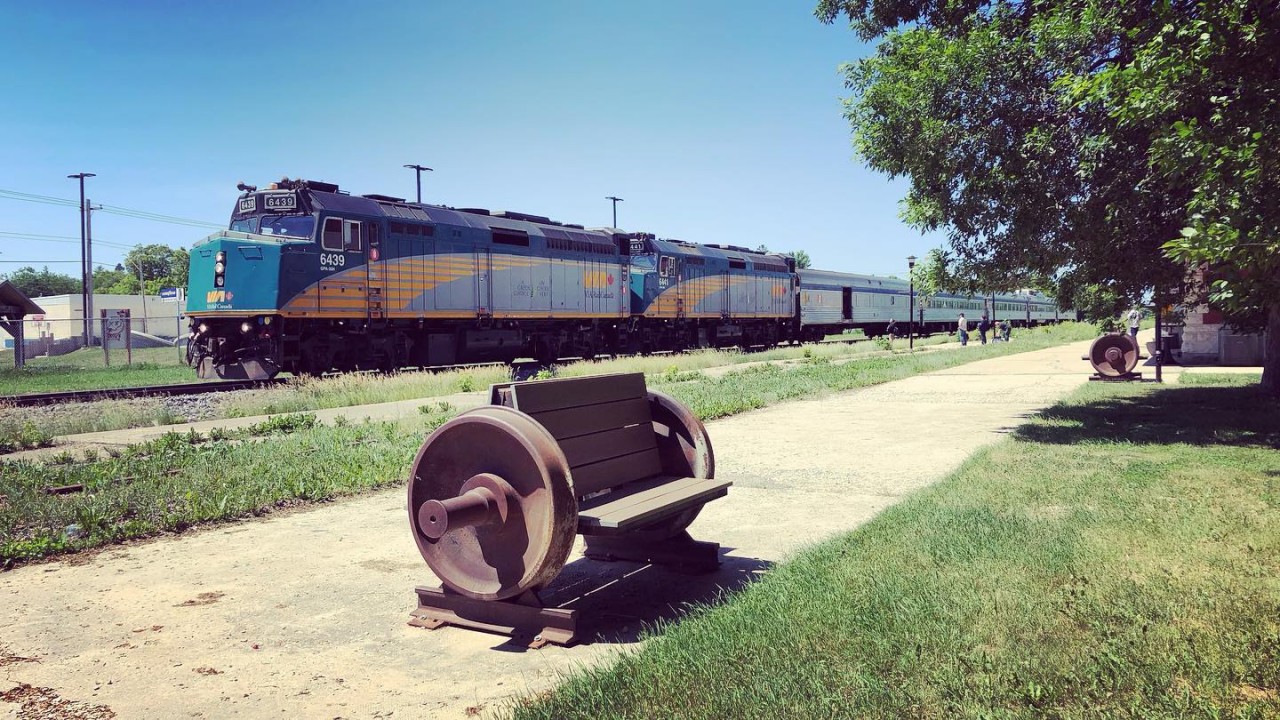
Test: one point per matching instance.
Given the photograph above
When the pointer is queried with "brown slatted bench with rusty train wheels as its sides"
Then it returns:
(625, 467)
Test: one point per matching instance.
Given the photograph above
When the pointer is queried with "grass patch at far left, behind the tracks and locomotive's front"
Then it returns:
(85, 370)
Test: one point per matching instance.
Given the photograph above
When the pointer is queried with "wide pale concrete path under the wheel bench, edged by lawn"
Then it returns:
(304, 616)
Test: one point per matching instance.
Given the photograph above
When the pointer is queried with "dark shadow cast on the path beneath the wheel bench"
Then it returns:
(618, 601)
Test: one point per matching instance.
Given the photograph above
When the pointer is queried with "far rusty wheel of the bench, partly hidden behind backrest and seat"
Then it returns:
(687, 452)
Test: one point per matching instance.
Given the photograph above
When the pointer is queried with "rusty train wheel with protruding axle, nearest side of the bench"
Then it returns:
(492, 505)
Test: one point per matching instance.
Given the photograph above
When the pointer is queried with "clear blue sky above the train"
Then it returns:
(715, 121)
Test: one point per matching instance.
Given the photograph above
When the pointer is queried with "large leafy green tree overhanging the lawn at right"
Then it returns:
(1103, 147)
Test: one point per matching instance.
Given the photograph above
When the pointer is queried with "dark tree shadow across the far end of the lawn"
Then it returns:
(1192, 416)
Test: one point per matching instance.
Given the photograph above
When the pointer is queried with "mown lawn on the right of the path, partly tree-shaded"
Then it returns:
(1118, 557)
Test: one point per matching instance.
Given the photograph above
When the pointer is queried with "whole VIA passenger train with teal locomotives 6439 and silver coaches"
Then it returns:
(310, 280)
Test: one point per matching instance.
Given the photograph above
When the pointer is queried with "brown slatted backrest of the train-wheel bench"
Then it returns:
(602, 425)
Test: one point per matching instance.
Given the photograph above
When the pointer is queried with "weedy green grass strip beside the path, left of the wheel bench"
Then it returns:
(184, 480)
